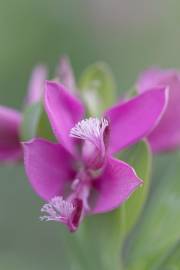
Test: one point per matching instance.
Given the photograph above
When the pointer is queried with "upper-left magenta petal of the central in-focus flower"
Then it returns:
(64, 111)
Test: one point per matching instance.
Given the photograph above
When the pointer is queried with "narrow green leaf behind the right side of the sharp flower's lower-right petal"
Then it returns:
(139, 157)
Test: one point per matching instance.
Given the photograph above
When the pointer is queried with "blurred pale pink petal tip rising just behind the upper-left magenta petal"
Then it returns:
(65, 74)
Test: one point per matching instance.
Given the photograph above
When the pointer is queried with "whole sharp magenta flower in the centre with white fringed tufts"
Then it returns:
(78, 175)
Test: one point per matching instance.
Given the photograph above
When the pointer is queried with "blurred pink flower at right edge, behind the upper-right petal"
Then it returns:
(166, 136)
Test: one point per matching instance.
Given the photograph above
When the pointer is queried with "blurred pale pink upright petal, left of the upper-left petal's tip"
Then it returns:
(36, 84)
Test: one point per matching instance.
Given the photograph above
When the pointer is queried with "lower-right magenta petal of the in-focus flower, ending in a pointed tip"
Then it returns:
(116, 184)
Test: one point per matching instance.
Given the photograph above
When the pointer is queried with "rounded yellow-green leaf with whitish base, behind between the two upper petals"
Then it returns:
(98, 88)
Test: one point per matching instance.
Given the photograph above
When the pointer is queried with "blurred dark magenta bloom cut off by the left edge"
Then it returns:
(10, 148)
